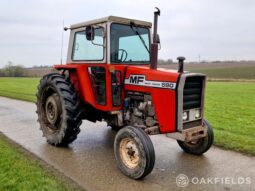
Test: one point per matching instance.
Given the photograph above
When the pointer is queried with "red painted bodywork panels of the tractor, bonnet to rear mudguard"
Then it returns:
(164, 100)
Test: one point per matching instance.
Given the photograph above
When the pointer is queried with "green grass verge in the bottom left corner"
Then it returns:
(19, 173)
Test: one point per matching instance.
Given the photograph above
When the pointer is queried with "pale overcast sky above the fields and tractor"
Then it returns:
(30, 31)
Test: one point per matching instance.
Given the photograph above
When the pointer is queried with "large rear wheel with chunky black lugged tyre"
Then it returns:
(59, 110)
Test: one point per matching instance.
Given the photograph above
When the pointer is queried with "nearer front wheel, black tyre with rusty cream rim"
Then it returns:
(134, 152)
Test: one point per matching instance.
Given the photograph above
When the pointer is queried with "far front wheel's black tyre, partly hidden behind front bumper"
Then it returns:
(199, 146)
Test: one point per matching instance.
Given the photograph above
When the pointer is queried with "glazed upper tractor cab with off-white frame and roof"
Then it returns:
(112, 40)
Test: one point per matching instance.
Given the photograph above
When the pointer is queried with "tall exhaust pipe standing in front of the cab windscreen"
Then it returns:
(154, 45)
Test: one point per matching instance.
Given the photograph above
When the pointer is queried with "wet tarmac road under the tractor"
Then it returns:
(90, 162)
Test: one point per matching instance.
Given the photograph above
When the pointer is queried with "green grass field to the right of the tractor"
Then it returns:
(230, 108)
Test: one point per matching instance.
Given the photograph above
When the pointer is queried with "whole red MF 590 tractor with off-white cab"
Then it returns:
(111, 74)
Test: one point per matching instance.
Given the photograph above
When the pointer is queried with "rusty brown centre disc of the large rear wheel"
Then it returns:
(52, 109)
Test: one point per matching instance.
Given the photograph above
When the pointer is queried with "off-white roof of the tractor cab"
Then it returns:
(111, 19)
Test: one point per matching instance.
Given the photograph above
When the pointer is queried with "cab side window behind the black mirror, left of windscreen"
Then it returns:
(84, 49)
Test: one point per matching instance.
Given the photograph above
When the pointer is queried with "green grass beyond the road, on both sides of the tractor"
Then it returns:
(230, 108)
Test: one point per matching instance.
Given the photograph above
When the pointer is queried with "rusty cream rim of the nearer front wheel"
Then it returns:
(129, 153)
